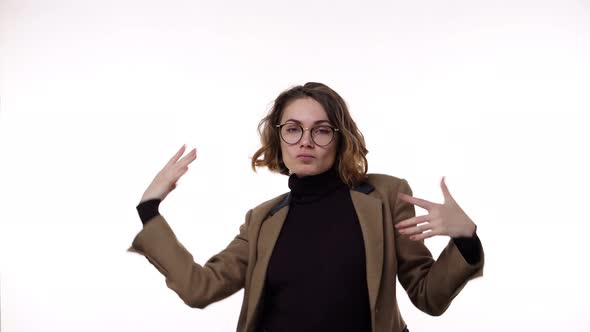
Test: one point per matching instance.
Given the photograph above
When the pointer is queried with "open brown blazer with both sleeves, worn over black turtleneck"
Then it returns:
(431, 285)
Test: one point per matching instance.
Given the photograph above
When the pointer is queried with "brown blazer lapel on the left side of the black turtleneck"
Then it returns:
(267, 237)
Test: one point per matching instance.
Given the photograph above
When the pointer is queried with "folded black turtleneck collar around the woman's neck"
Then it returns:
(313, 187)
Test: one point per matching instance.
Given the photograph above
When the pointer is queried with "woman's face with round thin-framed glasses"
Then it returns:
(305, 157)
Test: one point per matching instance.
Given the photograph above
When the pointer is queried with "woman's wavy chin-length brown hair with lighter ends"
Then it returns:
(351, 161)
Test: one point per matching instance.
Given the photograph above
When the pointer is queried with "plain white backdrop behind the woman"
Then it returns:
(95, 96)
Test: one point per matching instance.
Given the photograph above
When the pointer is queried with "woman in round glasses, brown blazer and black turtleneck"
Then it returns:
(324, 256)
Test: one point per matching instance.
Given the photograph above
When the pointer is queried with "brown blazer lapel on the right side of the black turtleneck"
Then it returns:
(369, 212)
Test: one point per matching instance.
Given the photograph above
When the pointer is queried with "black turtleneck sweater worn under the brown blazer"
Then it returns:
(316, 277)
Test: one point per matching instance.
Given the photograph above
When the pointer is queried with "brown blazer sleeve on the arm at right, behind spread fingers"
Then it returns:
(431, 285)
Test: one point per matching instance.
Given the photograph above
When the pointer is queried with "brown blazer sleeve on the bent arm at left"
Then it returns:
(197, 285)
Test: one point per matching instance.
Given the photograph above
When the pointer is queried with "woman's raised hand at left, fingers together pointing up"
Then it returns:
(165, 180)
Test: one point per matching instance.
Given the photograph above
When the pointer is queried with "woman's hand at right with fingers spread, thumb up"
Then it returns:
(442, 219)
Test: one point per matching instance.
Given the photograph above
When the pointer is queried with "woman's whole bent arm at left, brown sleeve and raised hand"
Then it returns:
(197, 285)
